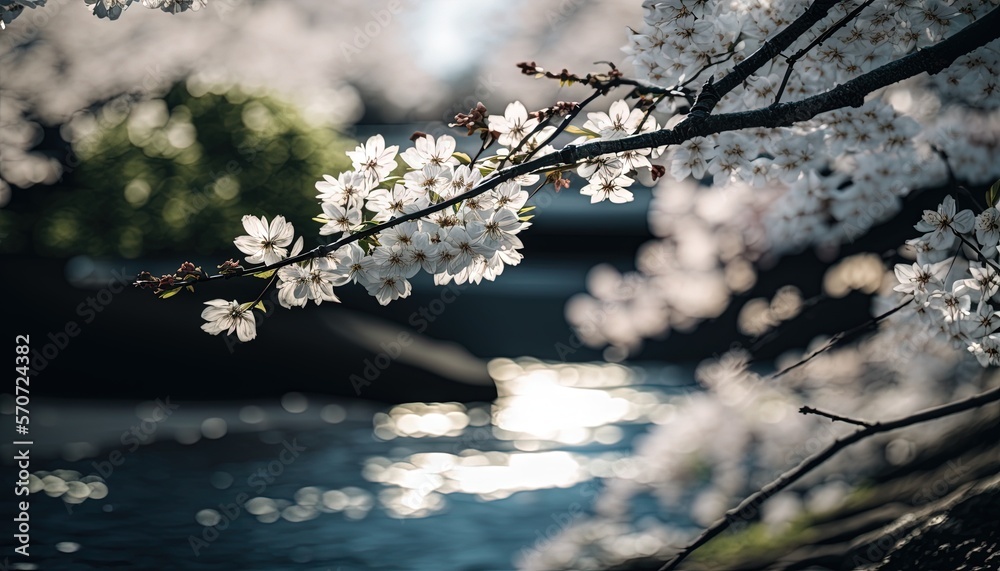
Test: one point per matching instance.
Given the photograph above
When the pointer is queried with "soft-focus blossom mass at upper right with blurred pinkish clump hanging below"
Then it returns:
(821, 182)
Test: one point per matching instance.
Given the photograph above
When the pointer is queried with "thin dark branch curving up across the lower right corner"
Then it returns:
(753, 501)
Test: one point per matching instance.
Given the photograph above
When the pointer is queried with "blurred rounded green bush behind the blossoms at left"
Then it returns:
(174, 176)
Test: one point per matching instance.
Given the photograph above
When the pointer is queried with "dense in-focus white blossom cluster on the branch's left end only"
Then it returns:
(469, 241)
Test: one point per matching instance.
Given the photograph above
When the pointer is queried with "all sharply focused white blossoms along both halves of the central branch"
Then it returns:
(471, 239)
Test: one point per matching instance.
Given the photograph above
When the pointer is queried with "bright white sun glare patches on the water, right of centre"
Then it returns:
(541, 407)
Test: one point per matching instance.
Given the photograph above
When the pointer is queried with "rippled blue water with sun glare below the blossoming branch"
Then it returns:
(304, 484)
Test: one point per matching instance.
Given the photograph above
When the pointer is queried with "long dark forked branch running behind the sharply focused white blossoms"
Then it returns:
(852, 93)
